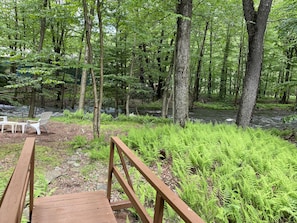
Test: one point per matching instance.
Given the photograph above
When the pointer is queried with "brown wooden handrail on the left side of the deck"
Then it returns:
(13, 198)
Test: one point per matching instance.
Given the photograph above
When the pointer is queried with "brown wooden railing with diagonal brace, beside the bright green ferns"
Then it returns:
(163, 192)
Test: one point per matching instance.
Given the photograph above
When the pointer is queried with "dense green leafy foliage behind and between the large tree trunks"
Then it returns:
(42, 49)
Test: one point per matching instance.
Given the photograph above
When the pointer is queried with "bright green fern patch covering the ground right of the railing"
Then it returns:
(225, 173)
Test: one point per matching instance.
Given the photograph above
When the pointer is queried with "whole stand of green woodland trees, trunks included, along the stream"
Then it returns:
(56, 52)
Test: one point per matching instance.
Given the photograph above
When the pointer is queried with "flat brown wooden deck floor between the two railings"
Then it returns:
(88, 207)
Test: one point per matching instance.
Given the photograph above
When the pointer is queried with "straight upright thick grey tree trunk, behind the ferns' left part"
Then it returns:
(181, 78)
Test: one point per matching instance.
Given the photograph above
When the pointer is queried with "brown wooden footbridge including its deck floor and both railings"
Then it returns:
(87, 207)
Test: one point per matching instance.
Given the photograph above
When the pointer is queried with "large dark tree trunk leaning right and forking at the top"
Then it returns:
(256, 26)
